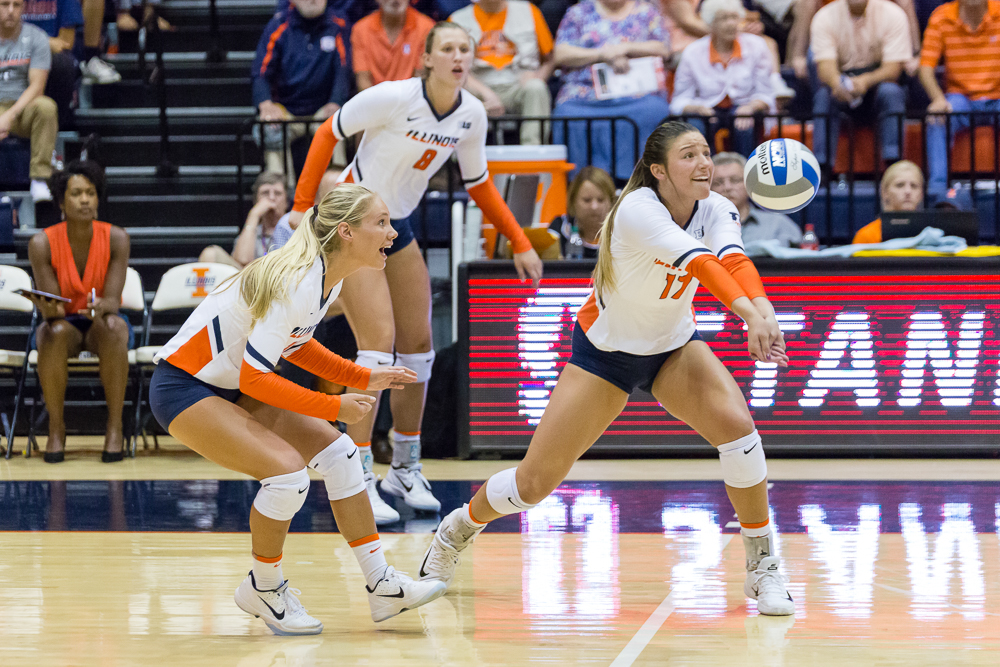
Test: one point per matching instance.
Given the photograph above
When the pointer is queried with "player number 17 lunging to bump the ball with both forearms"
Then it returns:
(667, 233)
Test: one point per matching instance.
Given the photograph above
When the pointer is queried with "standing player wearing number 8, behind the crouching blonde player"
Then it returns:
(411, 128)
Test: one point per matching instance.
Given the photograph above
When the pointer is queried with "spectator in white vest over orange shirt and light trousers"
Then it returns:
(513, 60)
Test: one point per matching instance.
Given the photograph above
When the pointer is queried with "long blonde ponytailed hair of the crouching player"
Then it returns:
(268, 279)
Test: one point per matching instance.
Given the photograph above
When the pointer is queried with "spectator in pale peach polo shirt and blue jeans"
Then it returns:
(860, 47)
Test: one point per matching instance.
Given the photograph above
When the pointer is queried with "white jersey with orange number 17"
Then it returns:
(650, 310)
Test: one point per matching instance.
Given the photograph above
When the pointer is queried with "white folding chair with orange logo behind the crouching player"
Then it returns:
(181, 289)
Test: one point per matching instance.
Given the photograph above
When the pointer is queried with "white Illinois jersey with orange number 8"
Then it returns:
(405, 142)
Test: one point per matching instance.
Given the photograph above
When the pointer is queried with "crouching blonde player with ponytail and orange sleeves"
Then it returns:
(215, 390)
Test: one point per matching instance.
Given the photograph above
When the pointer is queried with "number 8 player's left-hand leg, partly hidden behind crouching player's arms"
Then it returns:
(366, 303)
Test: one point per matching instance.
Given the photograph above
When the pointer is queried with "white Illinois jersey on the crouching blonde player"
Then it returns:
(216, 339)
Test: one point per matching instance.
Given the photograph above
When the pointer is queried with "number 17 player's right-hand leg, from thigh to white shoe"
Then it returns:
(695, 387)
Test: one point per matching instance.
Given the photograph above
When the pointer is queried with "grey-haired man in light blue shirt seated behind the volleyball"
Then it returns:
(756, 224)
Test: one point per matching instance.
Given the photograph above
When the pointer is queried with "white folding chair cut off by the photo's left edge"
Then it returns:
(13, 363)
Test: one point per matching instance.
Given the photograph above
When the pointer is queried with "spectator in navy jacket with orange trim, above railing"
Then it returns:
(301, 69)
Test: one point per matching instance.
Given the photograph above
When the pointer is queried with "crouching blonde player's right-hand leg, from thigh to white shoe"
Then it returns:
(335, 456)
